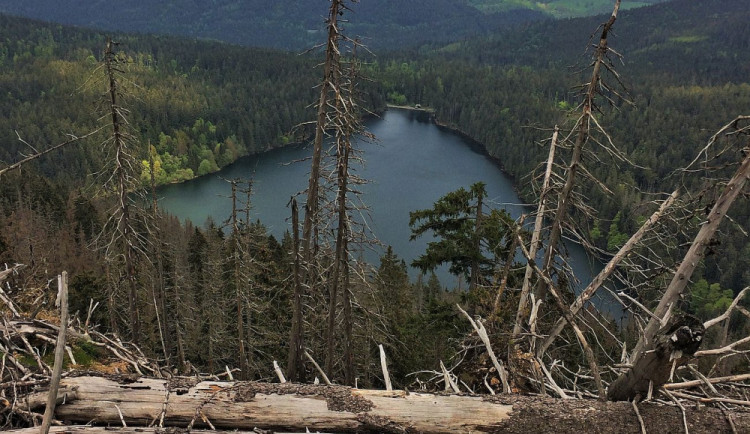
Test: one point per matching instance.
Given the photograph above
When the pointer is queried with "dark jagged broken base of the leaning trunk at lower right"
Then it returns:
(675, 344)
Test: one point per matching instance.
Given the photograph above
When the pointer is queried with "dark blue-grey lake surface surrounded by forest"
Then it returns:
(412, 164)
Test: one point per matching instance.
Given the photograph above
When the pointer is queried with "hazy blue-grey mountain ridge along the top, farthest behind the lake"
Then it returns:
(296, 24)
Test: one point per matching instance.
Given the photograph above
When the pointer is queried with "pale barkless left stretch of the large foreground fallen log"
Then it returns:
(271, 406)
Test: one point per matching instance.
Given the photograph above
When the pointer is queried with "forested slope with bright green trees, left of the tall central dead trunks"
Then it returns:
(201, 105)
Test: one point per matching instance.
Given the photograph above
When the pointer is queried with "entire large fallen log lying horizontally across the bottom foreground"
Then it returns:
(180, 402)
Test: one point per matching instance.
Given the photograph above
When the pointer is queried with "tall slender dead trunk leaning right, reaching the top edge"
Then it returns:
(575, 160)
